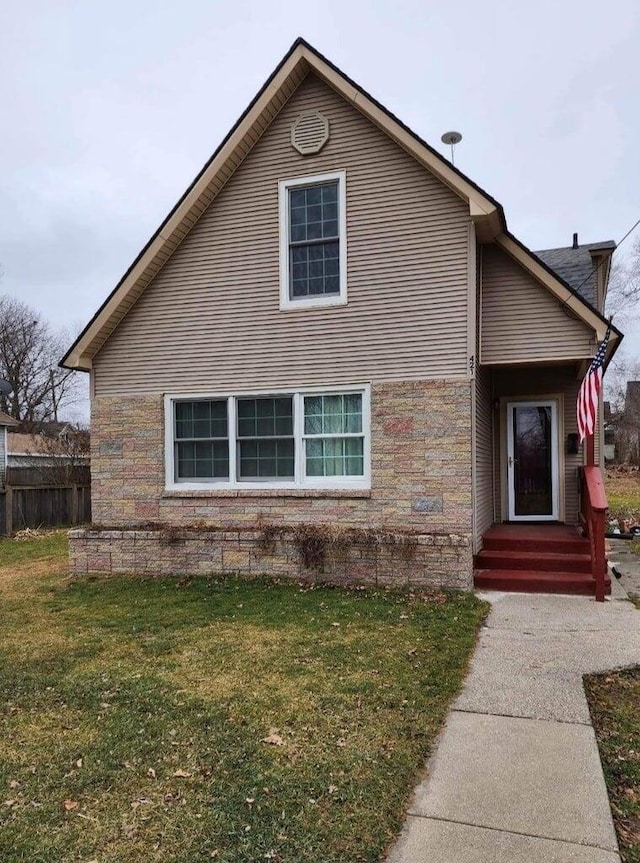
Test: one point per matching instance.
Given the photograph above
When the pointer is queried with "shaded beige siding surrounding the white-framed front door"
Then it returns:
(521, 383)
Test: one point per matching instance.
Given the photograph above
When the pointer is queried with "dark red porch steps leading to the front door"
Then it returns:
(535, 558)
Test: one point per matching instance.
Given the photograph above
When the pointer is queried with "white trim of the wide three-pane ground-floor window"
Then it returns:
(339, 483)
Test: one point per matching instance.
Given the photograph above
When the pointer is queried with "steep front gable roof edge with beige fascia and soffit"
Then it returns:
(301, 60)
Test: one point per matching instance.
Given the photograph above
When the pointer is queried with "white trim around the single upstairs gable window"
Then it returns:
(283, 201)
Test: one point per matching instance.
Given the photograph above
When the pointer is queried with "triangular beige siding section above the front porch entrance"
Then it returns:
(521, 321)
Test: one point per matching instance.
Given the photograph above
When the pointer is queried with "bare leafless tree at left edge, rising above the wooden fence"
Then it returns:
(29, 354)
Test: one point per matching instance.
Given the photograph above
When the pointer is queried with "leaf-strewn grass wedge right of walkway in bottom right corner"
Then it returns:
(614, 702)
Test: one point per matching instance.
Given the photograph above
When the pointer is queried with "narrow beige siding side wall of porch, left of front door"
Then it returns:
(484, 491)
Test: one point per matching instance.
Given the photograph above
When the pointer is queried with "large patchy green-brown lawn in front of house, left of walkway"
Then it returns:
(223, 720)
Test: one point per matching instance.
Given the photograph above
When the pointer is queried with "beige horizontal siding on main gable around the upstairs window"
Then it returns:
(210, 318)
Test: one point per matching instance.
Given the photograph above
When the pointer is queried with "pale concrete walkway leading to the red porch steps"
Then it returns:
(516, 776)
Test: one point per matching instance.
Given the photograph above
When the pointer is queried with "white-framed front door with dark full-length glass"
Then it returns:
(532, 460)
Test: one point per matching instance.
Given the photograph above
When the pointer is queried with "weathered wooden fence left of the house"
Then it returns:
(43, 506)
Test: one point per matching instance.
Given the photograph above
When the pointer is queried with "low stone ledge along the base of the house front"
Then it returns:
(401, 560)
